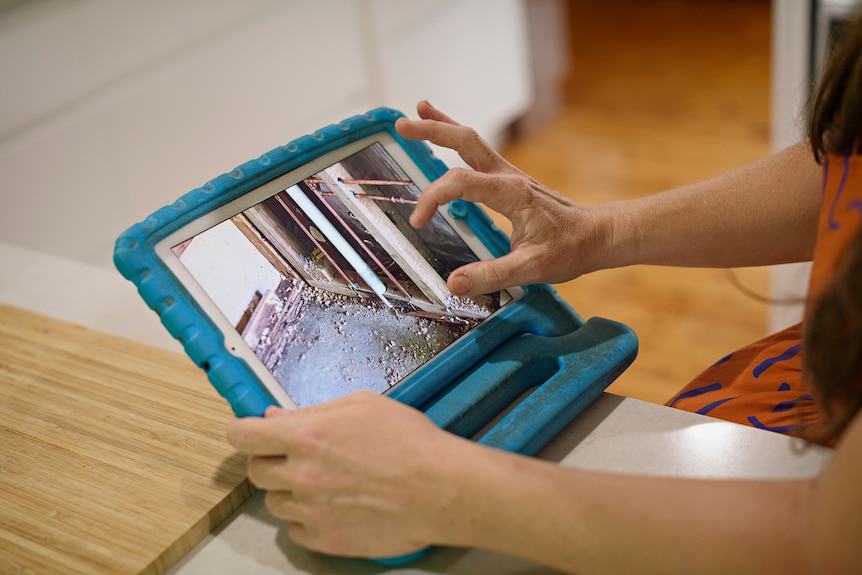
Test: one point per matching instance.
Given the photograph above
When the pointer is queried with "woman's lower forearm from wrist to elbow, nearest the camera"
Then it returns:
(587, 522)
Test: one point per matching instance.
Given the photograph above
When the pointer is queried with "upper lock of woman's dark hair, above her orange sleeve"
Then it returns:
(835, 111)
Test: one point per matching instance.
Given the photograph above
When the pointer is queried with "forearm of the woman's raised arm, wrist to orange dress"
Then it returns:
(760, 214)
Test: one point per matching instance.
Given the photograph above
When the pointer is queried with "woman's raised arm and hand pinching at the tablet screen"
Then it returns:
(763, 213)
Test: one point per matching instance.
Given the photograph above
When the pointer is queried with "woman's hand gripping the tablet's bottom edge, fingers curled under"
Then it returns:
(357, 476)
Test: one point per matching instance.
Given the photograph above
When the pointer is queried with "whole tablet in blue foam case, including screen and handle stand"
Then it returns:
(296, 278)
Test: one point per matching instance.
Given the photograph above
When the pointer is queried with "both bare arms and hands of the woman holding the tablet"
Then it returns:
(365, 475)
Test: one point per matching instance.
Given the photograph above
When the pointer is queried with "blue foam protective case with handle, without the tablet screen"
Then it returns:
(537, 349)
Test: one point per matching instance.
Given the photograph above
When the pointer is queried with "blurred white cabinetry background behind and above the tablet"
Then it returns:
(112, 109)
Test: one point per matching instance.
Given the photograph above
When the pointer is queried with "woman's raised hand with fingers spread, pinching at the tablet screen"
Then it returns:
(553, 238)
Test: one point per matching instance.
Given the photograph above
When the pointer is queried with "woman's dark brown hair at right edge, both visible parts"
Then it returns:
(832, 341)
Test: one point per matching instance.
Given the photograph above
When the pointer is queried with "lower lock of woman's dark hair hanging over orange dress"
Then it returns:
(832, 344)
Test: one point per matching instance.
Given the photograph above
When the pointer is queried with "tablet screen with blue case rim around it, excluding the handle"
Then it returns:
(307, 275)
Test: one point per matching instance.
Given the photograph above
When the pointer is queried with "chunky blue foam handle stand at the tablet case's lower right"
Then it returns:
(567, 373)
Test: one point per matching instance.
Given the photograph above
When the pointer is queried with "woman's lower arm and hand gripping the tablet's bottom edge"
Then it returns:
(367, 476)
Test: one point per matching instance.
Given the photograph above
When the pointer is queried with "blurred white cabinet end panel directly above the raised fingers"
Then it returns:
(468, 58)
